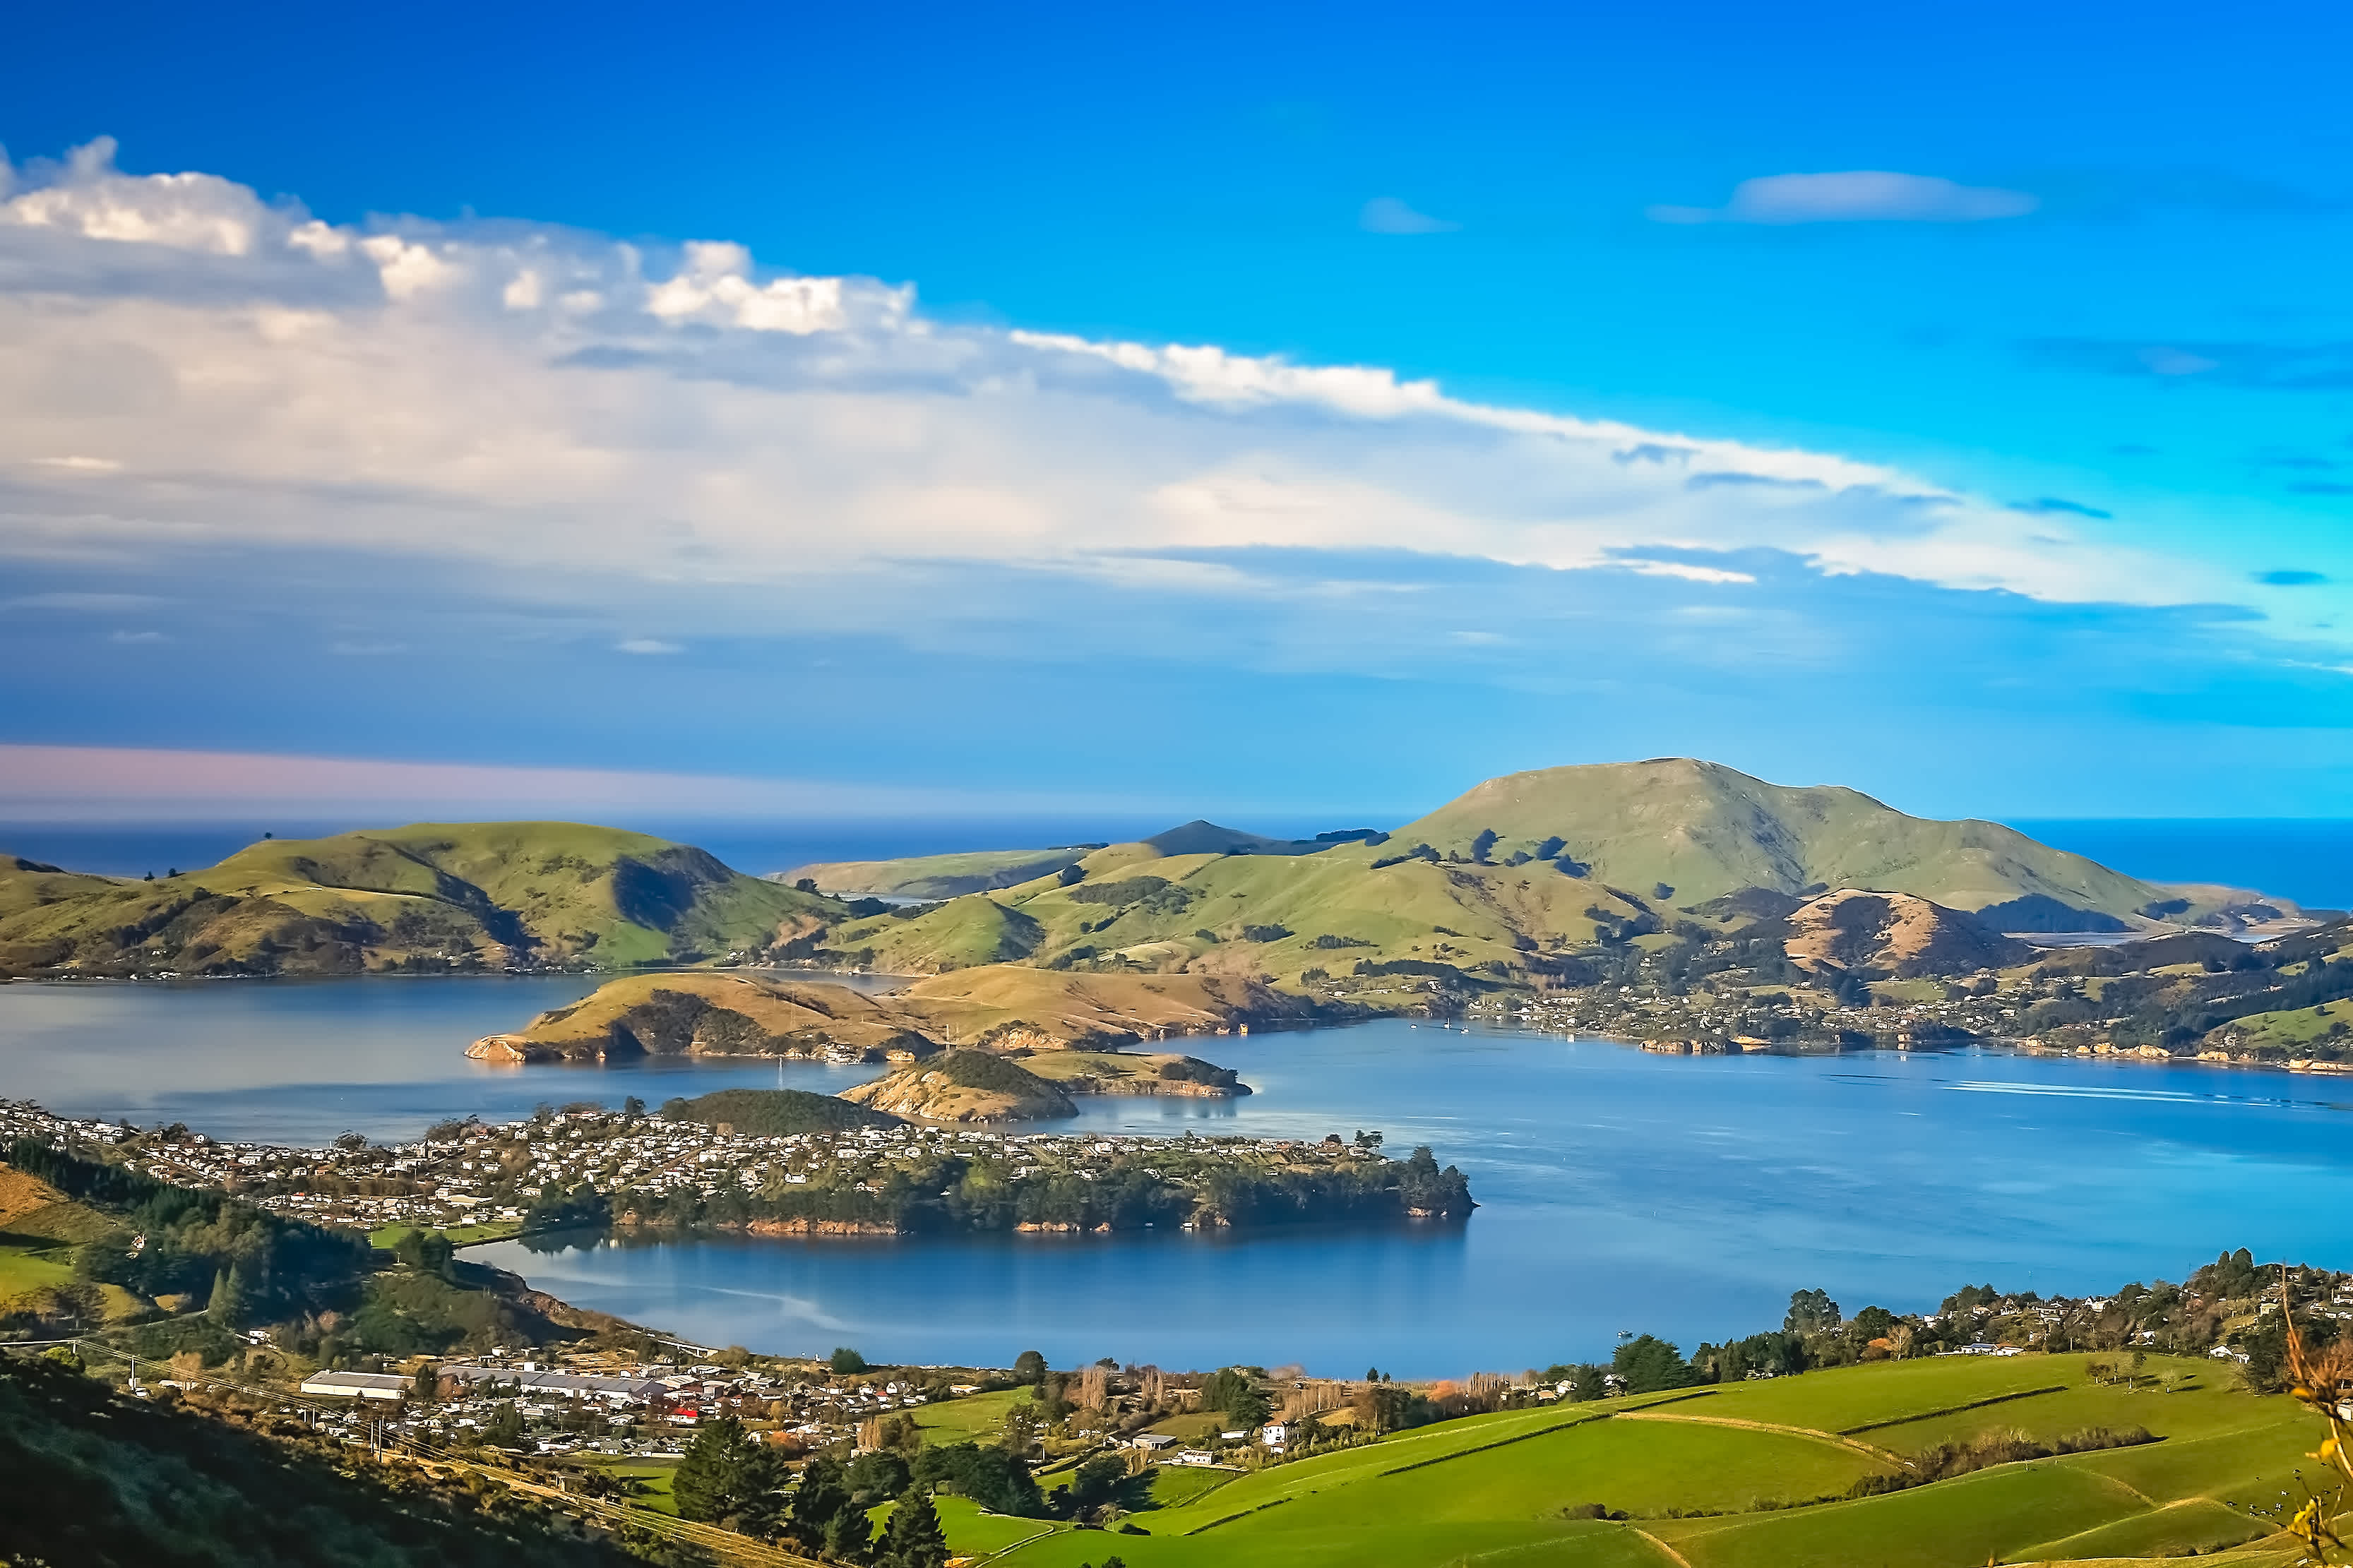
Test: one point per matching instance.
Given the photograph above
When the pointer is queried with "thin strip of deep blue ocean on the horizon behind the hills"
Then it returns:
(2302, 859)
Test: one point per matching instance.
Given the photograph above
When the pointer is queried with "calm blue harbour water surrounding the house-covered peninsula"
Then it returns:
(1622, 1191)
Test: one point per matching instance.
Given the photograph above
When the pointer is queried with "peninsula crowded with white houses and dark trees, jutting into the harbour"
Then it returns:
(587, 1165)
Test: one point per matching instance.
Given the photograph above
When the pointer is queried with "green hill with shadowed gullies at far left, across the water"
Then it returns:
(422, 897)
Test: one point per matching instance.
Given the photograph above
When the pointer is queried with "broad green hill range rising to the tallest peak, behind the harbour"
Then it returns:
(1524, 873)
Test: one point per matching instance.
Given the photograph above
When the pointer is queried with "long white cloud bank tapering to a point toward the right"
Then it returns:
(519, 398)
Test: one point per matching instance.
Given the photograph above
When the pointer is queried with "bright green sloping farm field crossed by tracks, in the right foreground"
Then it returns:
(1757, 1475)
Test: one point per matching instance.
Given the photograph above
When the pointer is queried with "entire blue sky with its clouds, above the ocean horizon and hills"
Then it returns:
(1949, 406)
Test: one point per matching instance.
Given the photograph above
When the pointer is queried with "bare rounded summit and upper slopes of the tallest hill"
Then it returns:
(1705, 831)
